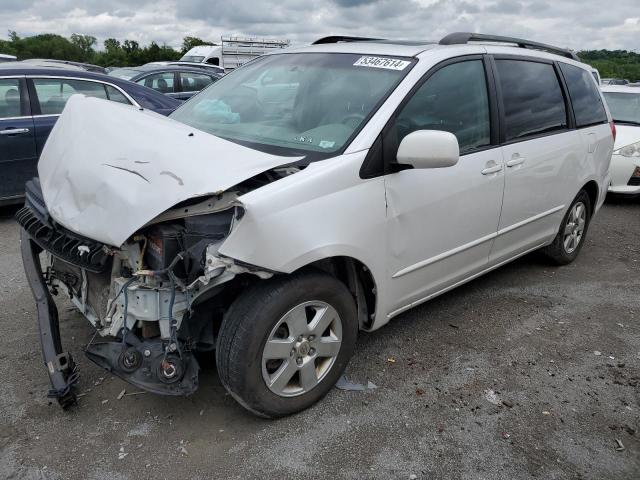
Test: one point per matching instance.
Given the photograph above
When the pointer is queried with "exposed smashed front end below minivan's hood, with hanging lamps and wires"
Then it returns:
(151, 301)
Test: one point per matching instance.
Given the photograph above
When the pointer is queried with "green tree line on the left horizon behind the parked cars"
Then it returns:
(81, 48)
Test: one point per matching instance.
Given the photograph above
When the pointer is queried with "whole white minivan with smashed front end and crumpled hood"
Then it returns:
(305, 197)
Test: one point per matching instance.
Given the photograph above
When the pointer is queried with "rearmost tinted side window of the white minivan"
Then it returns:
(585, 98)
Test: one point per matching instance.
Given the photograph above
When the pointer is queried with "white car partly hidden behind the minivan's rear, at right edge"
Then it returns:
(624, 104)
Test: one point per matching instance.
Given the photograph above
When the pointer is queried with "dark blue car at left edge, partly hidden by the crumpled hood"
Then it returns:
(32, 99)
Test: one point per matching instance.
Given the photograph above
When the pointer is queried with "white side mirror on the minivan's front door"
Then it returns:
(429, 149)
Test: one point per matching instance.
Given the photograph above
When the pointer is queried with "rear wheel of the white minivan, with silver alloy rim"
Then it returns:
(572, 233)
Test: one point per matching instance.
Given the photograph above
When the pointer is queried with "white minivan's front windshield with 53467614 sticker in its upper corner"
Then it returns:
(296, 103)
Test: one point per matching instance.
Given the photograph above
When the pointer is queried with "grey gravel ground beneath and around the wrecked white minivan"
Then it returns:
(529, 372)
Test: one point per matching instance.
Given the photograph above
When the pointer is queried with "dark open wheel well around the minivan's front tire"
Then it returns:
(358, 278)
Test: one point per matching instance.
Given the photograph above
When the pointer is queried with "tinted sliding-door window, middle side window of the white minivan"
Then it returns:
(532, 98)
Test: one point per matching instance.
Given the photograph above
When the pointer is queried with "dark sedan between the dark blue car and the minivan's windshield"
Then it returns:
(175, 81)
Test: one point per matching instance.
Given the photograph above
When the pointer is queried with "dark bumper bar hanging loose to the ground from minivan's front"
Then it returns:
(62, 369)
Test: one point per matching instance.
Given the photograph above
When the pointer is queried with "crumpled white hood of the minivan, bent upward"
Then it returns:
(108, 169)
